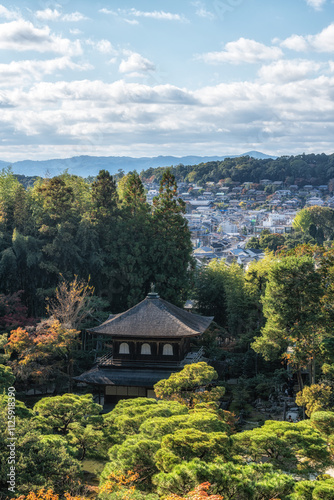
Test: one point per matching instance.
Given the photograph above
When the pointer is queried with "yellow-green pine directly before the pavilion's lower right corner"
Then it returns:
(191, 385)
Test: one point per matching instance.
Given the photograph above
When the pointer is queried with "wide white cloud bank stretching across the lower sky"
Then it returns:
(95, 114)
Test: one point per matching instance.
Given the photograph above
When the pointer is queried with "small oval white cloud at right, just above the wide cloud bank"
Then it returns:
(285, 71)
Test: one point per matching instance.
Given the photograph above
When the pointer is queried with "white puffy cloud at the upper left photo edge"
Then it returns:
(24, 36)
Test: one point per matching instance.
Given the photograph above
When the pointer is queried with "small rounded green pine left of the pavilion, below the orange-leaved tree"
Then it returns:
(61, 411)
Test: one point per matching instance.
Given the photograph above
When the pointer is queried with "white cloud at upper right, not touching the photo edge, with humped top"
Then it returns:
(242, 50)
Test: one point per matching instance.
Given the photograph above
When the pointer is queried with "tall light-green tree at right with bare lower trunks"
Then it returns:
(291, 305)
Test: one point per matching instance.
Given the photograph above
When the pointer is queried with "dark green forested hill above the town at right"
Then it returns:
(303, 169)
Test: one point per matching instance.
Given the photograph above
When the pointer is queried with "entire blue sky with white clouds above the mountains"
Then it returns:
(148, 78)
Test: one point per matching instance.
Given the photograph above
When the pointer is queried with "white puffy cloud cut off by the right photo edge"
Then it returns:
(321, 42)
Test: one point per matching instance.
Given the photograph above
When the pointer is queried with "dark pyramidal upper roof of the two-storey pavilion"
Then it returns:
(156, 318)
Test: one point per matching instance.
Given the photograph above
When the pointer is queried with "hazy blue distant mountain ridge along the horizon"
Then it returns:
(85, 166)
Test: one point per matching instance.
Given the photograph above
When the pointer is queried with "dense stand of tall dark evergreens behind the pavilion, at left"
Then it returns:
(68, 226)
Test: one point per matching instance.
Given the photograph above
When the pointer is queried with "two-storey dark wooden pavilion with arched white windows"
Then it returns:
(147, 343)
